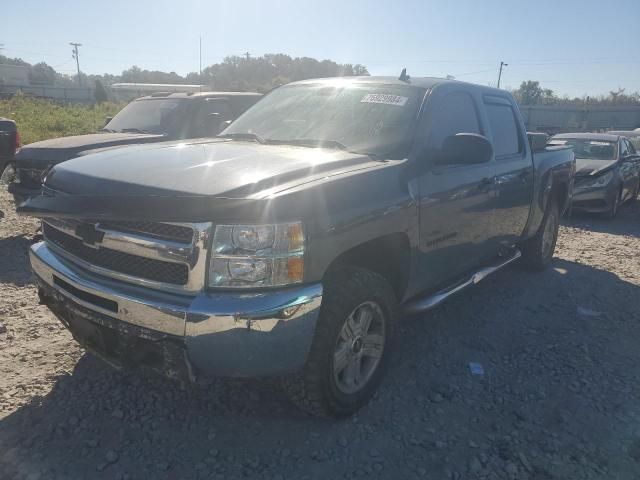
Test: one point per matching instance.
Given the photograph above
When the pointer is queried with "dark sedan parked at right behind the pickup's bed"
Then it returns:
(607, 171)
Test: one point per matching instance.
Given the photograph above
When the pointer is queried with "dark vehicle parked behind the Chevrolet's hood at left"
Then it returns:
(156, 118)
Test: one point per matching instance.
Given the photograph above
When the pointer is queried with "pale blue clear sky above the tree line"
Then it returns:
(575, 48)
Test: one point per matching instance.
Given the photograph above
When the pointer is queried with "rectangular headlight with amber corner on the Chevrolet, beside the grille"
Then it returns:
(257, 255)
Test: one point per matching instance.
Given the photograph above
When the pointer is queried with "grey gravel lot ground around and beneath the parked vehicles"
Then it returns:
(559, 397)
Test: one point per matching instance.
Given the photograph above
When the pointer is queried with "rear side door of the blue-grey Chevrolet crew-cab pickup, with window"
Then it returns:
(514, 170)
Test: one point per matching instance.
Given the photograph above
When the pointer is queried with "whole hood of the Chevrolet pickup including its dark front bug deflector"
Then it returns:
(195, 182)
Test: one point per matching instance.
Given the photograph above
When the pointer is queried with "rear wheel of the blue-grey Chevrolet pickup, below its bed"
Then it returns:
(537, 252)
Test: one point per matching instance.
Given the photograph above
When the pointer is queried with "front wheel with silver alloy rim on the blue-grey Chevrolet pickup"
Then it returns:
(350, 347)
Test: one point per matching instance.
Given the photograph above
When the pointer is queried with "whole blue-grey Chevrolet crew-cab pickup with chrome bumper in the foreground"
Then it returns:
(292, 245)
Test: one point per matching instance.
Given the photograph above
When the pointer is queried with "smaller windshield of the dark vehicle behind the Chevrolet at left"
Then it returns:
(158, 116)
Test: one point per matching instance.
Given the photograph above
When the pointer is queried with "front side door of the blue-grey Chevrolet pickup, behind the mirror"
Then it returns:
(456, 201)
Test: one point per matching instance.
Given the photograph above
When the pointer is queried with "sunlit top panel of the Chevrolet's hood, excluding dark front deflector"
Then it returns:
(229, 169)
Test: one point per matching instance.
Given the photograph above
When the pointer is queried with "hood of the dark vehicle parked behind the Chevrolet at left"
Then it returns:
(51, 152)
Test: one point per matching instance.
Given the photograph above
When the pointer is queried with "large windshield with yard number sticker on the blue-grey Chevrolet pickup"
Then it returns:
(363, 118)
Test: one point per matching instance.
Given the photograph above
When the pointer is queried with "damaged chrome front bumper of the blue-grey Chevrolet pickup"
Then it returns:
(227, 333)
